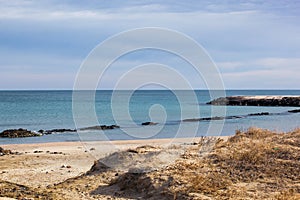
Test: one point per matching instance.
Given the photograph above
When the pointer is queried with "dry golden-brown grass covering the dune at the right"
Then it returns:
(256, 164)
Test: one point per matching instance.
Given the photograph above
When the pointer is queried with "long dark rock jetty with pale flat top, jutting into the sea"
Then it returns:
(292, 101)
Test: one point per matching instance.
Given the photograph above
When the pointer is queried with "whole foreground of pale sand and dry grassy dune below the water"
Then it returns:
(256, 164)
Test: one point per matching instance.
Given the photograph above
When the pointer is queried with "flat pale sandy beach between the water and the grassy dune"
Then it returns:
(48, 163)
